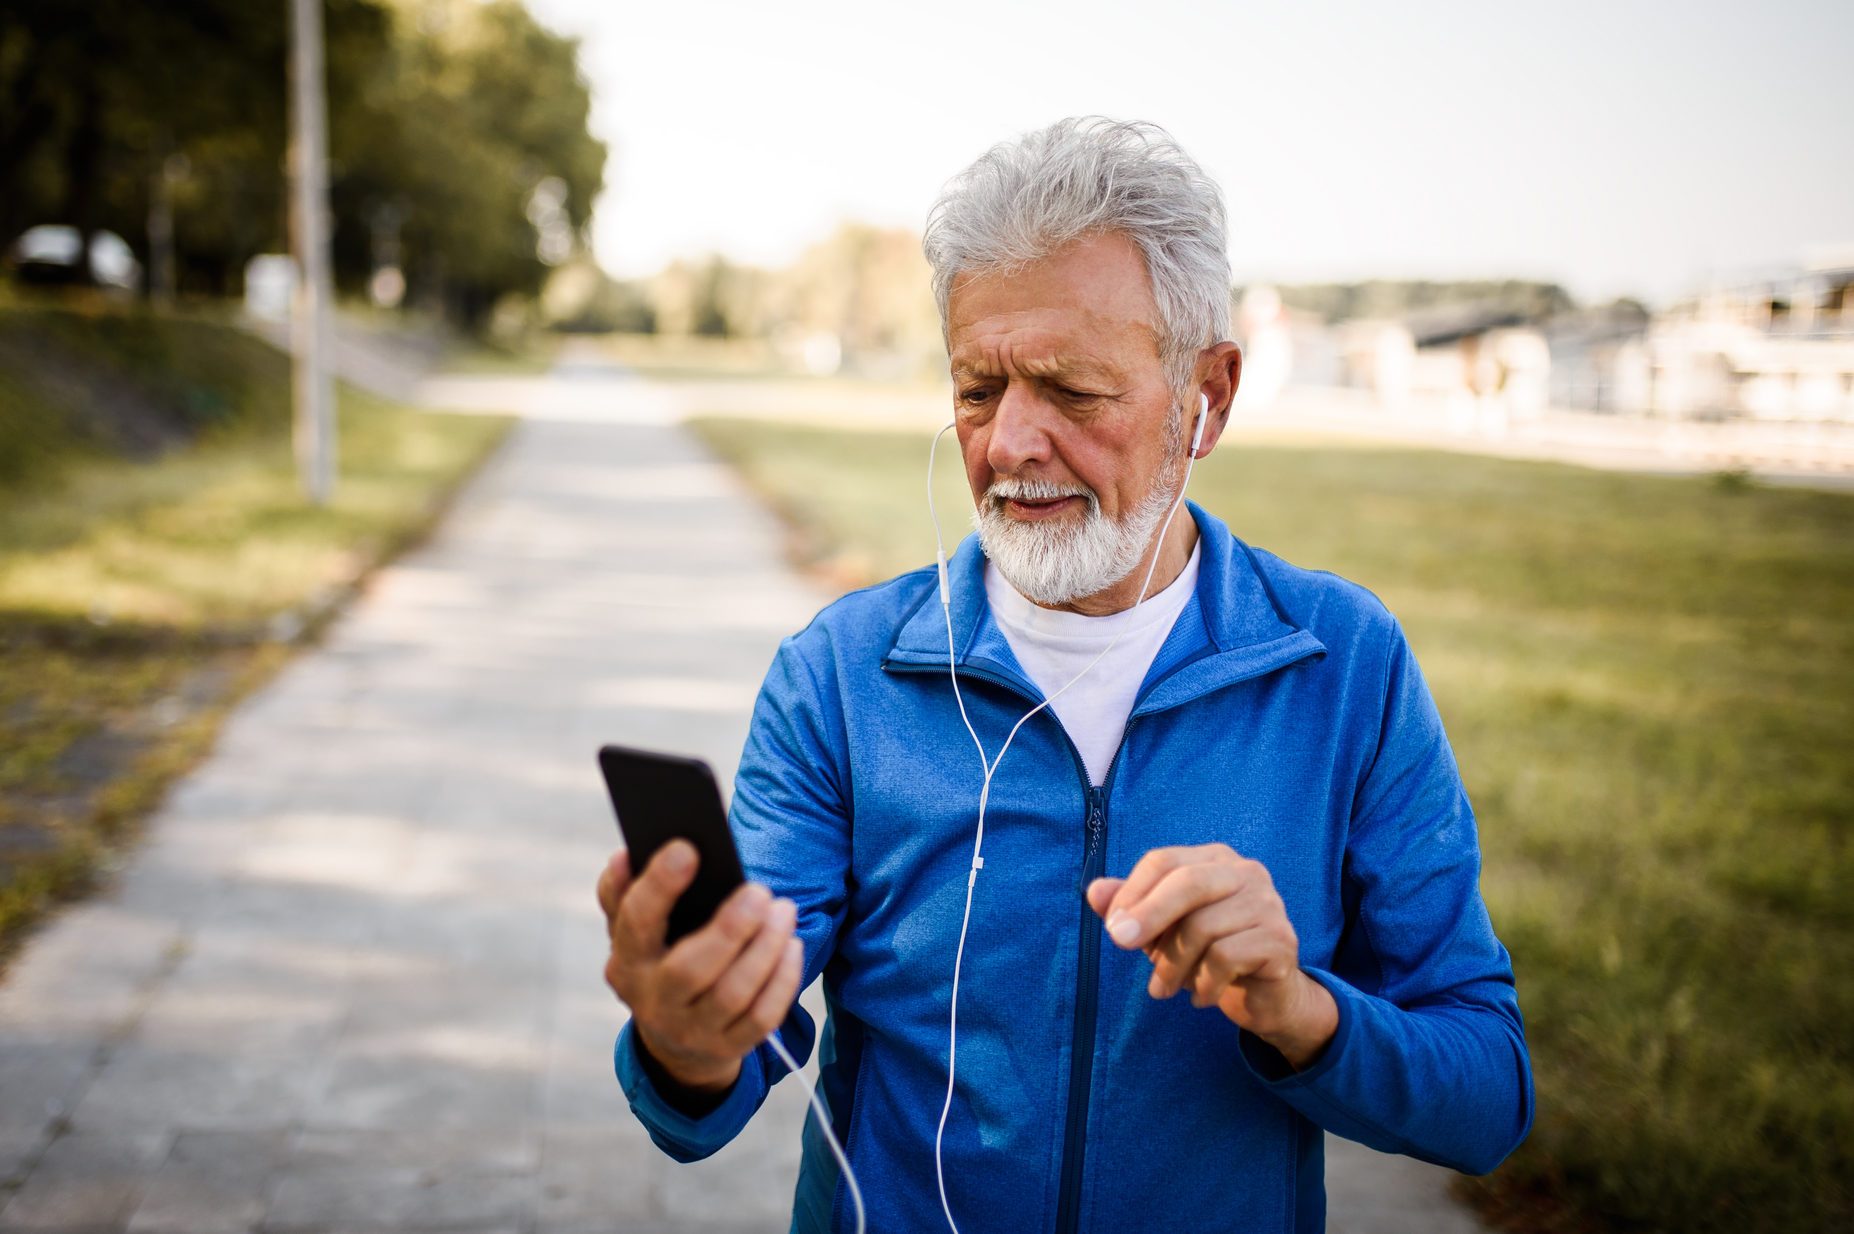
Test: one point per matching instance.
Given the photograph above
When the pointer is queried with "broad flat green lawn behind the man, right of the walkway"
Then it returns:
(1649, 685)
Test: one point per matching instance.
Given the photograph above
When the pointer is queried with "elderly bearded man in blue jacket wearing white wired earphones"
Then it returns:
(1241, 792)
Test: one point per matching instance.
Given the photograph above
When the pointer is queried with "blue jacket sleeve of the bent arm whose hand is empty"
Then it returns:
(1430, 1055)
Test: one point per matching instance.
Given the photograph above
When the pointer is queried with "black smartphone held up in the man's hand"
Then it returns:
(661, 798)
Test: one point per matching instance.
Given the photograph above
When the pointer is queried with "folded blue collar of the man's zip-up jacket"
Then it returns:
(1230, 631)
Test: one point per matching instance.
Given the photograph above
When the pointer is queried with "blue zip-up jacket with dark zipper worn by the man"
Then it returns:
(1286, 718)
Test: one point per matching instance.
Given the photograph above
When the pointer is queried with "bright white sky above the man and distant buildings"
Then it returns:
(1618, 147)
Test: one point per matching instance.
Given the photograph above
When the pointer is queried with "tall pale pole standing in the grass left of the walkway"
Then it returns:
(309, 238)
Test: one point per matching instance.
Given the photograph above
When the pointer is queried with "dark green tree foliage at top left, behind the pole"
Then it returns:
(446, 118)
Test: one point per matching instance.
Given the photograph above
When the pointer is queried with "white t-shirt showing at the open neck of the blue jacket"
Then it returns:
(1054, 648)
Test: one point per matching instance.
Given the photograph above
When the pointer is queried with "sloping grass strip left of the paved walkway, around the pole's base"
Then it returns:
(153, 535)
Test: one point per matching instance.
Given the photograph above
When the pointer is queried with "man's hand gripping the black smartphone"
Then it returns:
(705, 1003)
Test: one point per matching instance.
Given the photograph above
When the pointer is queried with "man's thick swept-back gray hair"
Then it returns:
(1024, 199)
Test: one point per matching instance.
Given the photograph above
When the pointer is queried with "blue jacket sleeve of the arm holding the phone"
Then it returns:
(791, 824)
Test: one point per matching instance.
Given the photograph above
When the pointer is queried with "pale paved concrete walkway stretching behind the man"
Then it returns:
(351, 979)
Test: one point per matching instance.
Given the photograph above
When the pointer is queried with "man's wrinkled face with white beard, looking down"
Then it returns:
(1060, 390)
